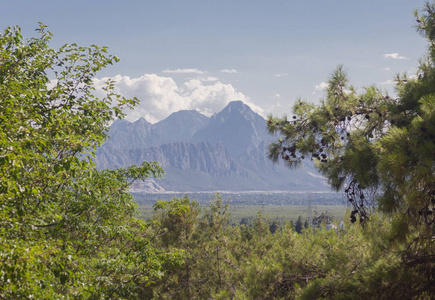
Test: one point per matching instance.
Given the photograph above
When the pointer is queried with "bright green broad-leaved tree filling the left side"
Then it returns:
(66, 229)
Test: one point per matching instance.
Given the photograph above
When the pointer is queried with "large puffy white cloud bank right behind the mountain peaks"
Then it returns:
(161, 96)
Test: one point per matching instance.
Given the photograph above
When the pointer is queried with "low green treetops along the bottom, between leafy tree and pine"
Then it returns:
(222, 261)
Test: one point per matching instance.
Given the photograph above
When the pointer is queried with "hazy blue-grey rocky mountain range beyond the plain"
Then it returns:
(224, 152)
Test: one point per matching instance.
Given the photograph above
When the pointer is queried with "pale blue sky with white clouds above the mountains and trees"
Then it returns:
(203, 54)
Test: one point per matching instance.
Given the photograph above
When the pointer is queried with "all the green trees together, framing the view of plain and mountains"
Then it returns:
(70, 231)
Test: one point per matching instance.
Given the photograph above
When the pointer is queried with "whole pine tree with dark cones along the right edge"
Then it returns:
(380, 151)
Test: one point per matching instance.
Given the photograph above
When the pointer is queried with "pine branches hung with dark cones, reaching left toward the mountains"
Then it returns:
(338, 135)
